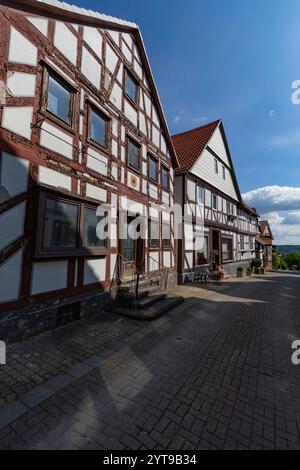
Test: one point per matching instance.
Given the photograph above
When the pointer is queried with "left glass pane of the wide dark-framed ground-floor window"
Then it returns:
(60, 223)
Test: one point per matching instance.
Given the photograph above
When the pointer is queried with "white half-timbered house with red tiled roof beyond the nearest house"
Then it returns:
(206, 185)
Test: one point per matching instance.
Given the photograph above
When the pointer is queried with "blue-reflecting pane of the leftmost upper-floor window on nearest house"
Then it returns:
(59, 100)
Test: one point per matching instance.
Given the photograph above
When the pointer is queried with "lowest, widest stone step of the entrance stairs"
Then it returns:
(153, 311)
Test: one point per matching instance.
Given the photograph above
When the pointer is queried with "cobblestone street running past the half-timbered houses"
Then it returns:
(214, 373)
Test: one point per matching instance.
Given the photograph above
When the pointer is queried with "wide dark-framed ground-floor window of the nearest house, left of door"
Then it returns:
(68, 226)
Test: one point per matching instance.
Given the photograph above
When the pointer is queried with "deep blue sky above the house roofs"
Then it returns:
(234, 60)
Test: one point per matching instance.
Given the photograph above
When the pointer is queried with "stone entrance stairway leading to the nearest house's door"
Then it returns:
(144, 303)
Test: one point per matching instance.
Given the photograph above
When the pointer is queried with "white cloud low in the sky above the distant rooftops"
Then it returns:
(280, 205)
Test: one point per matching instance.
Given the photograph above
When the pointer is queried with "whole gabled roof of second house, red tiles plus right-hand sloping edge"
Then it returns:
(189, 146)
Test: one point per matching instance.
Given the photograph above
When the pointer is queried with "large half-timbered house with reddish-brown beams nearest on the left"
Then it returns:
(81, 125)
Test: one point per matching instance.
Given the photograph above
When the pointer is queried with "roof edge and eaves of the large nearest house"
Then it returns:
(70, 13)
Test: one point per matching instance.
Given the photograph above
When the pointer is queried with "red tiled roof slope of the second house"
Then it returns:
(190, 144)
